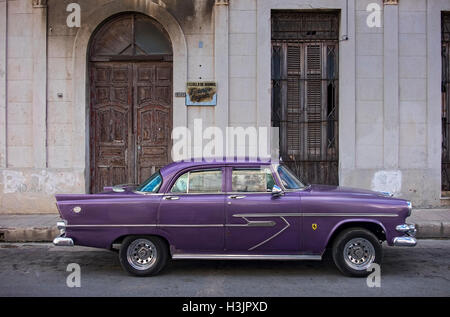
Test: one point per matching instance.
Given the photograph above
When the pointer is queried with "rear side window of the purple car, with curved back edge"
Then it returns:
(200, 181)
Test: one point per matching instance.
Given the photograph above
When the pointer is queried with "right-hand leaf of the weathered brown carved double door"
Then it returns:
(153, 116)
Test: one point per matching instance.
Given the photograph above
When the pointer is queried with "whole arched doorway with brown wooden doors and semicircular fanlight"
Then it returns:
(130, 72)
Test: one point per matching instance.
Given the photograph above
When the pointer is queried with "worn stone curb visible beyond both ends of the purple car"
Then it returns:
(425, 230)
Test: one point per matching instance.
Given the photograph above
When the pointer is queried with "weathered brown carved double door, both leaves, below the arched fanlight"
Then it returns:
(130, 121)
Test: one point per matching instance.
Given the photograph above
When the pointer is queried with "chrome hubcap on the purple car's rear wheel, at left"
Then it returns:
(142, 254)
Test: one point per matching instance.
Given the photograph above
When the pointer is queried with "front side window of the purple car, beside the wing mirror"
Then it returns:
(252, 180)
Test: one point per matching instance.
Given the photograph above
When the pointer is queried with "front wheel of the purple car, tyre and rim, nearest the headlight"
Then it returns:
(355, 250)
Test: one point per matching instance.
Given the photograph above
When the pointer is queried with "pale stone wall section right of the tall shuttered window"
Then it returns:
(394, 119)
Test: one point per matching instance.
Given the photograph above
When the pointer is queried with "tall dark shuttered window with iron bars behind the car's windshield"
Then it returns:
(305, 90)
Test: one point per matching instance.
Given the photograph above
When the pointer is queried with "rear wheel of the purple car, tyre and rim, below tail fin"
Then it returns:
(143, 255)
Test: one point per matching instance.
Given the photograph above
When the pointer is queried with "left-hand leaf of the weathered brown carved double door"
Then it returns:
(110, 122)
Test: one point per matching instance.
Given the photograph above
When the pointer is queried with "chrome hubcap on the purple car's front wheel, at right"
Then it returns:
(359, 253)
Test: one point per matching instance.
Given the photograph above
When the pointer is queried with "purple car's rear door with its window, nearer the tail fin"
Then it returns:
(192, 211)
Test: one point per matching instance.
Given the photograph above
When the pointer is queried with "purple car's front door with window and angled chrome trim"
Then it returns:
(258, 222)
